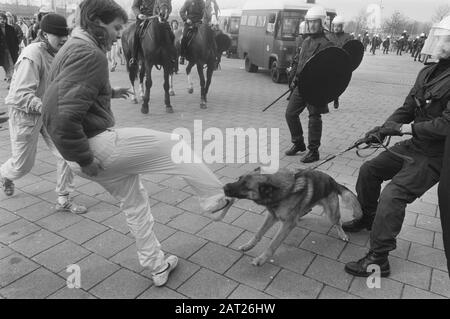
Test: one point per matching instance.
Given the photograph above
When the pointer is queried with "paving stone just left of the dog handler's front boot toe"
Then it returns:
(329, 272)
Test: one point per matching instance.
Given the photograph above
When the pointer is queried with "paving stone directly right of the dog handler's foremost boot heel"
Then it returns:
(410, 273)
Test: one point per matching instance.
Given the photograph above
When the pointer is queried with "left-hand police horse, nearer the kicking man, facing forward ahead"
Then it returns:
(155, 50)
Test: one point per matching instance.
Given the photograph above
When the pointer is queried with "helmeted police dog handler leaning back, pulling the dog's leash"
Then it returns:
(413, 166)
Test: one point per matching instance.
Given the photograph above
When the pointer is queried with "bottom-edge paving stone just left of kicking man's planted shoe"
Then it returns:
(123, 284)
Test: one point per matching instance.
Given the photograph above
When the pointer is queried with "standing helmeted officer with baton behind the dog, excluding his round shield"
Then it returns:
(316, 41)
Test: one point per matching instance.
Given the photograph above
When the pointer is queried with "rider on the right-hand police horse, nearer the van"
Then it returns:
(192, 14)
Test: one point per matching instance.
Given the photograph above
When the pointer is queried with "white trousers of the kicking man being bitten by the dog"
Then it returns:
(127, 153)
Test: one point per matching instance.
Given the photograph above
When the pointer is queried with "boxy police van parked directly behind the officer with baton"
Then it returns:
(268, 33)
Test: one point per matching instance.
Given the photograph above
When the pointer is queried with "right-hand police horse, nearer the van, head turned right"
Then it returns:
(200, 52)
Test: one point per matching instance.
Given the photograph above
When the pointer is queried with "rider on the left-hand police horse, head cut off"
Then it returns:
(143, 9)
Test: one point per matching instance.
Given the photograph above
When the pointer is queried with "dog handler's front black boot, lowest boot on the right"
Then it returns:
(359, 268)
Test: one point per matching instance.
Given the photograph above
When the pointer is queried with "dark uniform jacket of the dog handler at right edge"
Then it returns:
(428, 106)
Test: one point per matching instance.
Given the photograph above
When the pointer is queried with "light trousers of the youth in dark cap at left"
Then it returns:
(24, 130)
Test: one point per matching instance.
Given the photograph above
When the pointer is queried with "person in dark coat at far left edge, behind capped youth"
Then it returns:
(9, 46)
